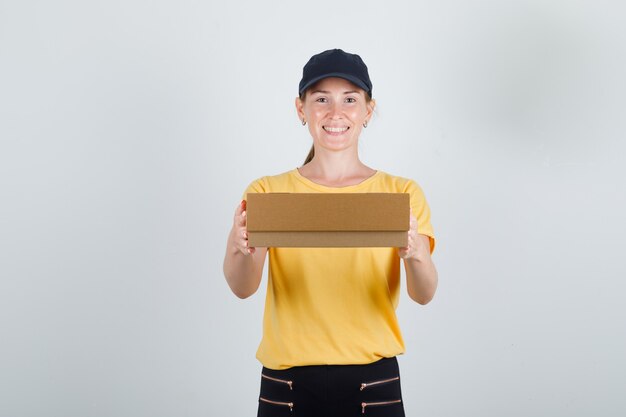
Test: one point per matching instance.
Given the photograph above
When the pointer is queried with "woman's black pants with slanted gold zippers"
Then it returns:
(332, 391)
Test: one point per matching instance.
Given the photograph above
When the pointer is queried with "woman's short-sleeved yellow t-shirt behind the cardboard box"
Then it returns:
(334, 305)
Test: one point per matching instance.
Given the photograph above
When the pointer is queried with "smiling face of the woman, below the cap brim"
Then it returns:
(335, 110)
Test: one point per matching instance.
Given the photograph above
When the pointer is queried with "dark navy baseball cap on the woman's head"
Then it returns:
(335, 63)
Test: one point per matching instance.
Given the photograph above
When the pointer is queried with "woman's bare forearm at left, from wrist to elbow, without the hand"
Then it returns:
(242, 273)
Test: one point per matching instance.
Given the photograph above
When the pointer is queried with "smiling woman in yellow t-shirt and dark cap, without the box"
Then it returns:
(330, 332)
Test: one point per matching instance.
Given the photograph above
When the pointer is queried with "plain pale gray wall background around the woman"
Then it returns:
(129, 130)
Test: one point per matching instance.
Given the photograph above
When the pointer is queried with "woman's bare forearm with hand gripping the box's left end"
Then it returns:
(243, 266)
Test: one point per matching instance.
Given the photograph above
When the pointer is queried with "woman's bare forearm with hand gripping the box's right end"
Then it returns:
(421, 274)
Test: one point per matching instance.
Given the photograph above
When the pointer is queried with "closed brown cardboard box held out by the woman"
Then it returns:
(327, 220)
